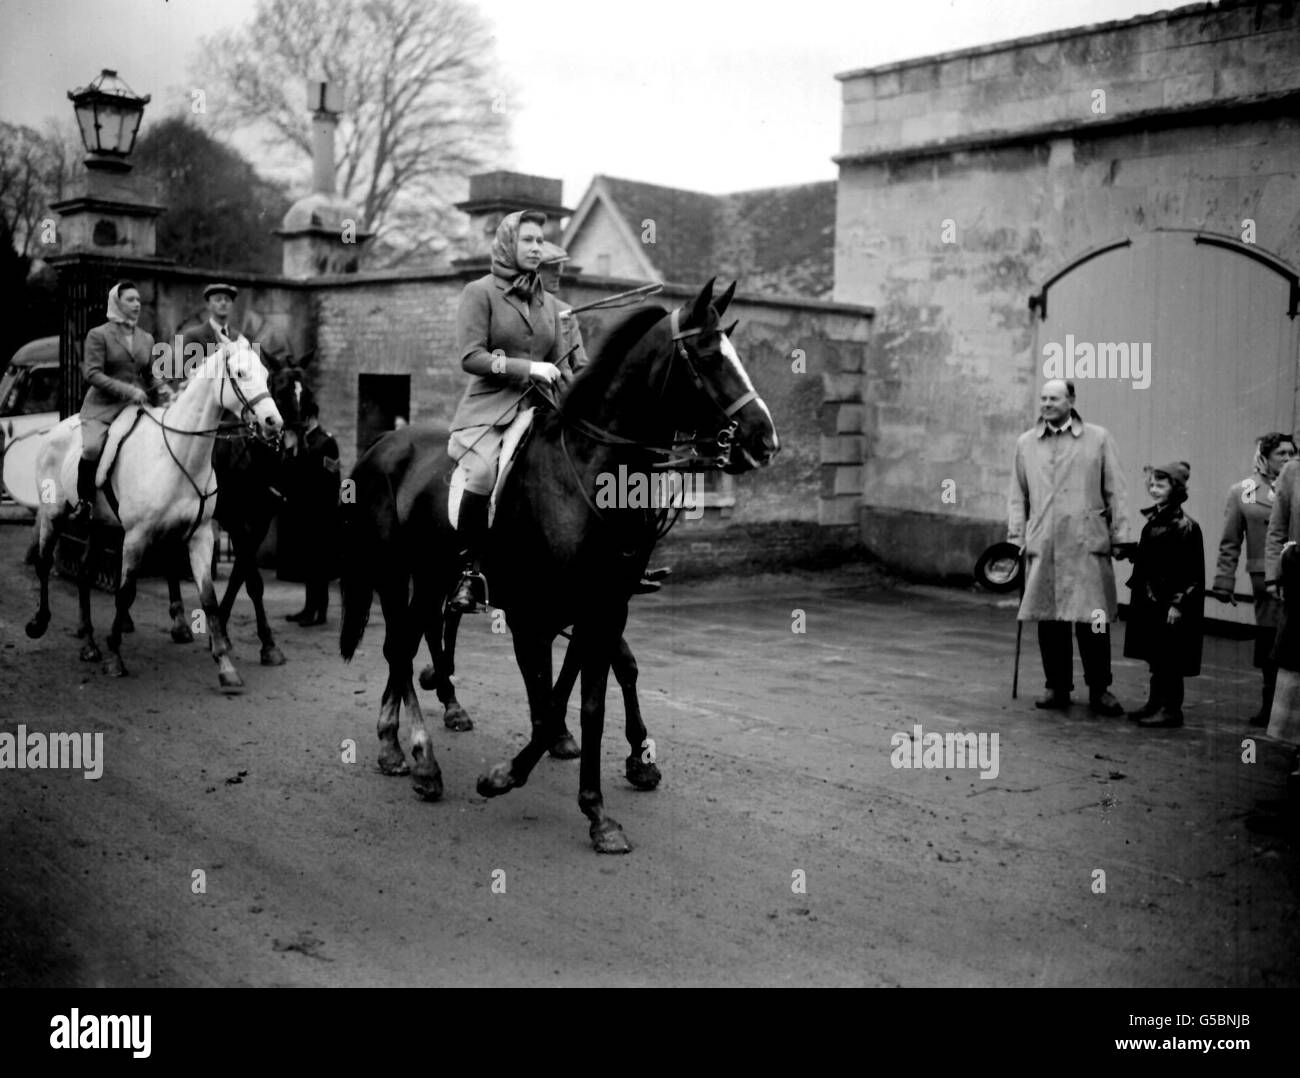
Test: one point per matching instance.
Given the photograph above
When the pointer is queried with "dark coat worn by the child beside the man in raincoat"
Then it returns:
(1169, 570)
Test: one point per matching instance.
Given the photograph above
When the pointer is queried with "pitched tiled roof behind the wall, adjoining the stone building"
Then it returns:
(777, 241)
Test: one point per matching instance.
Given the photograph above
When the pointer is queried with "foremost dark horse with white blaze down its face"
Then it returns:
(553, 557)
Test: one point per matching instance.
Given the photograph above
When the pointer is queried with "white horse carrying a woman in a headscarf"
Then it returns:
(164, 487)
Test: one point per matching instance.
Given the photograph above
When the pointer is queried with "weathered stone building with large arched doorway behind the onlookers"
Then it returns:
(1139, 181)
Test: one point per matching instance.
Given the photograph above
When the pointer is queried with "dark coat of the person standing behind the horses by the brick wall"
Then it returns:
(307, 535)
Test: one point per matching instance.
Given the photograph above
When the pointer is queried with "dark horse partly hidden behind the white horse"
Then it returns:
(250, 492)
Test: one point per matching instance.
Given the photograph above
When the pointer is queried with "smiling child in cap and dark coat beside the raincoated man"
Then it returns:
(1168, 598)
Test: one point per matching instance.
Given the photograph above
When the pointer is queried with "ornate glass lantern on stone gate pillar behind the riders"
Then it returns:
(107, 227)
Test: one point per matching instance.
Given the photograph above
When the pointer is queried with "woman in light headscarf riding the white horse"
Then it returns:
(118, 365)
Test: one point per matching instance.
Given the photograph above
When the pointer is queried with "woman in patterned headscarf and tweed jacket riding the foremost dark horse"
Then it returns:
(510, 339)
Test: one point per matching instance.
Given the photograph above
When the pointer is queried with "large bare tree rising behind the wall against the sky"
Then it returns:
(422, 102)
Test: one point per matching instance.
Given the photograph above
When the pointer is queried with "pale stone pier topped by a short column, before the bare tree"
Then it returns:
(322, 232)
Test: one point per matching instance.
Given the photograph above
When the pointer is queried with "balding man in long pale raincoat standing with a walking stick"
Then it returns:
(1067, 512)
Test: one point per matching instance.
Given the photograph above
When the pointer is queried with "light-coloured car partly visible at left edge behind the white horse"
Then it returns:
(29, 408)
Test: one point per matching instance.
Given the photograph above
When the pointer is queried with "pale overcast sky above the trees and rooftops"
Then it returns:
(714, 97)
